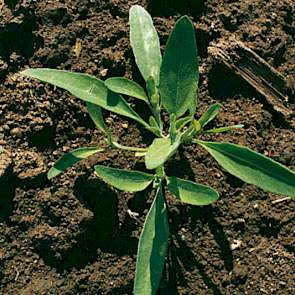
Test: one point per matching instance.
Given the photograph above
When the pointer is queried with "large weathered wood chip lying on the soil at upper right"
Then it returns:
(255, 71)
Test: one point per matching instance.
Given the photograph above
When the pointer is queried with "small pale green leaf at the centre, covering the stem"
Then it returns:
(159, 151)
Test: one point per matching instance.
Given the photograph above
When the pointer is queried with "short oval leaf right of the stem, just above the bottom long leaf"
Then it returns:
(190, 192)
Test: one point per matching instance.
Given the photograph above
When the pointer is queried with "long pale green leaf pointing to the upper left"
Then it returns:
(87, 88)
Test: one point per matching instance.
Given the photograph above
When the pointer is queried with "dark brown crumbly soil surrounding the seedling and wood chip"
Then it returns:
(73, 235)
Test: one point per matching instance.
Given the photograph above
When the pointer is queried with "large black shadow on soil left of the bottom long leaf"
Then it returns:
(102, 233)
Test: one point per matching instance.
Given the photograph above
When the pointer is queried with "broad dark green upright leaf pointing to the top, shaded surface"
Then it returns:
(179, 71)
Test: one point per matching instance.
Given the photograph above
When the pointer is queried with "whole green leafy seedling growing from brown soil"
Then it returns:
(171, 85)
